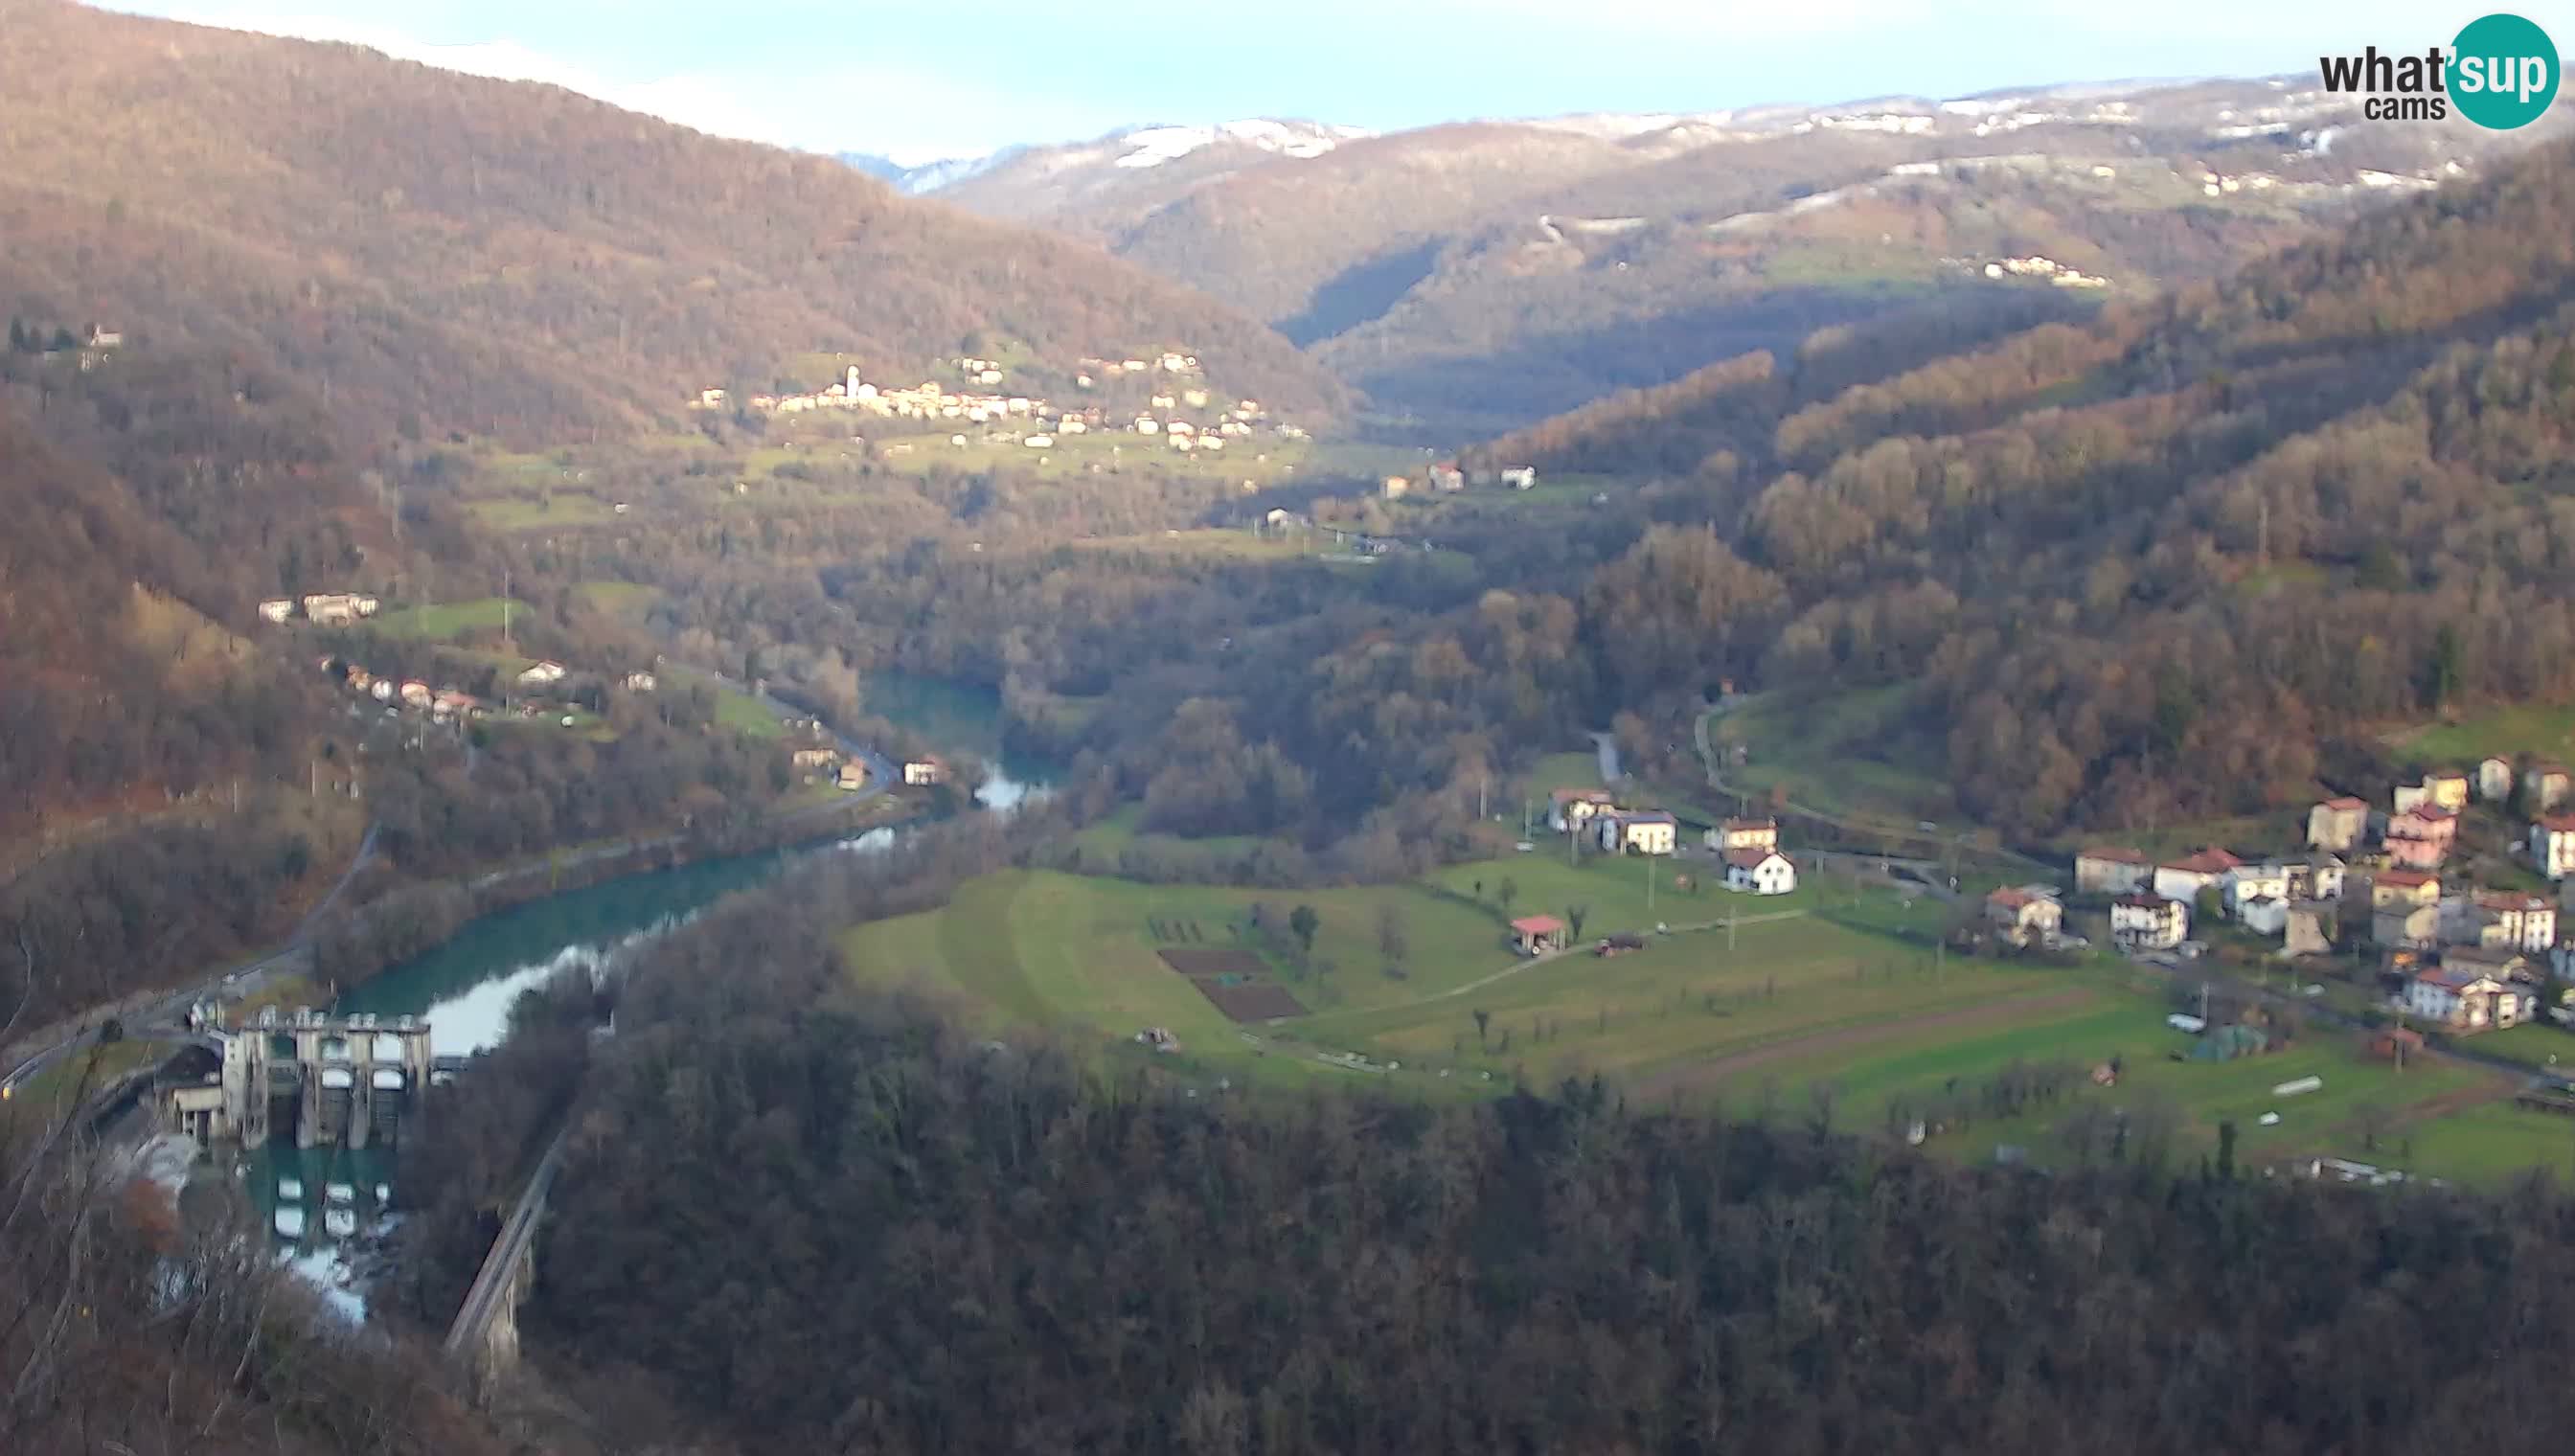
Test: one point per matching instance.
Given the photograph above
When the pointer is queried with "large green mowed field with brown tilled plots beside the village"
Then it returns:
(1812, 991)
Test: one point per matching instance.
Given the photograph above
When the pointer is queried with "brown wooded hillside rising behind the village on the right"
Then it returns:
(2144, 566)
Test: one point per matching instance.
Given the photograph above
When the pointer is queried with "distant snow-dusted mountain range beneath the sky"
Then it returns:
(1474, 277)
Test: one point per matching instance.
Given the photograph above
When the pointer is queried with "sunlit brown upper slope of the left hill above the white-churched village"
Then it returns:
(506, 259)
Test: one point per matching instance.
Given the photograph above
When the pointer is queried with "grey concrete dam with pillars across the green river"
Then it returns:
(318, 1078)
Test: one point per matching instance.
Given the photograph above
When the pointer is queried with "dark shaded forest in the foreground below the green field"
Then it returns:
(828, 1220)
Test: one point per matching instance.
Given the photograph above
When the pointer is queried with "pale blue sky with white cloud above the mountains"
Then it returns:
(923, 81)
